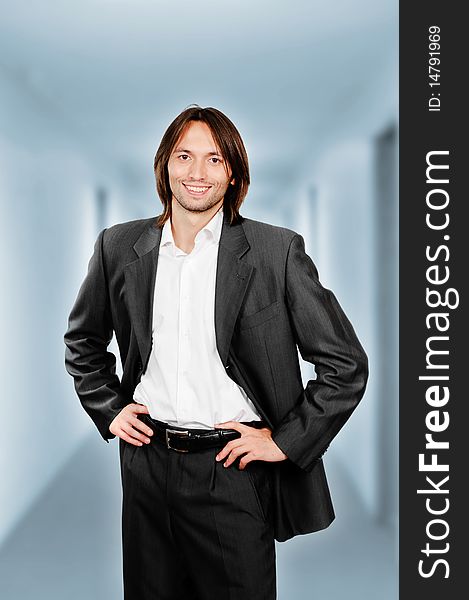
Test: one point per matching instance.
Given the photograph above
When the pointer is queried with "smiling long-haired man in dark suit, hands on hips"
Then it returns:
(220, 444)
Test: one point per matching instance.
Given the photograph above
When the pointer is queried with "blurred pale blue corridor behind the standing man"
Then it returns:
(86, 91)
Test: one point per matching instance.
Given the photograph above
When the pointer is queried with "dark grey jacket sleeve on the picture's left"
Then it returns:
(89, 333)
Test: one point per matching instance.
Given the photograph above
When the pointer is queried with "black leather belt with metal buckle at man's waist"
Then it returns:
(190, 440)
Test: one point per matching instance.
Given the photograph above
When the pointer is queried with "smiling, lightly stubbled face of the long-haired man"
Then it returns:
(196, 169)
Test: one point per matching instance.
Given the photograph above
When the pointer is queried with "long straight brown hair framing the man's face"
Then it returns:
(231, 146)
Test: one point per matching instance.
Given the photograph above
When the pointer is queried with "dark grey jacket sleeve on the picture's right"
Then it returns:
(325, 338)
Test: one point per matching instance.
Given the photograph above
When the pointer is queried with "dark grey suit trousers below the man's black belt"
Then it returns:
(193, 529)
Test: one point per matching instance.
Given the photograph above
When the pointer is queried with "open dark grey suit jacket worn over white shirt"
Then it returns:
(268, 302)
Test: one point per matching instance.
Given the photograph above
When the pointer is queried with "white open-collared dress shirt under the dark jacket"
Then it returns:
(185, 383)
